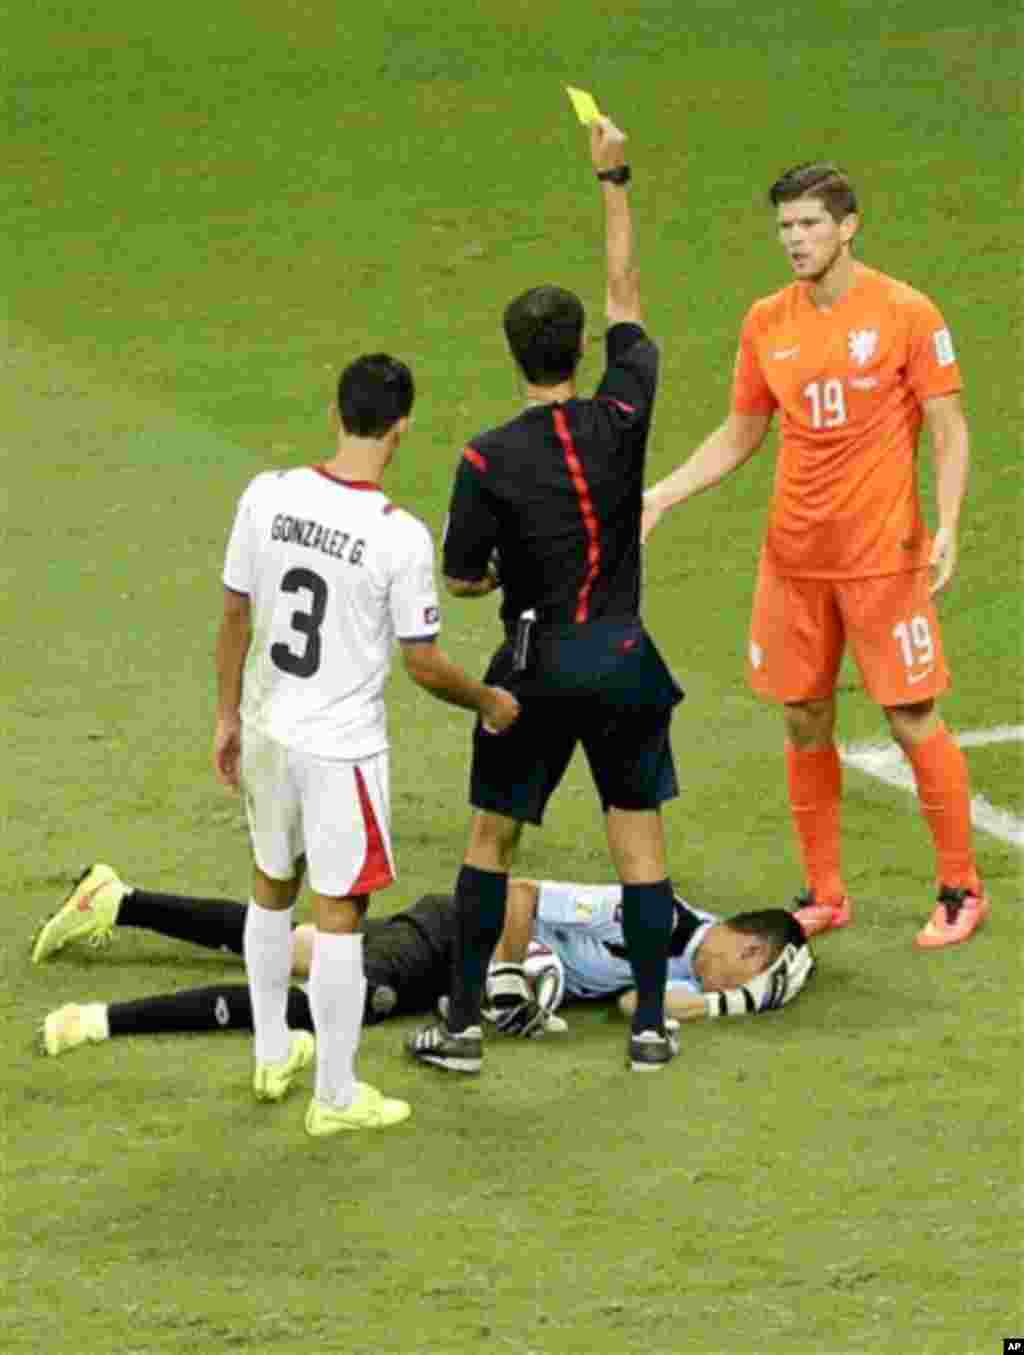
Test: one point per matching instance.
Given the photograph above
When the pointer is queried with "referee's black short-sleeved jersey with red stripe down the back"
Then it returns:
(559, 494)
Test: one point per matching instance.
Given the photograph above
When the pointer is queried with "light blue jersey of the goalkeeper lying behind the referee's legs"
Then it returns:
(583, 925)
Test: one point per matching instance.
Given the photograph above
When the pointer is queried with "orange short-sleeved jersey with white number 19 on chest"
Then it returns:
(850, 383)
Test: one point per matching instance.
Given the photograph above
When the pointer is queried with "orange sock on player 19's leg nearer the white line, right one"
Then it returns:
(945, 791)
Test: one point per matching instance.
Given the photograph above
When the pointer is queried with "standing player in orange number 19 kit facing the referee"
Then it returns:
(855, 362)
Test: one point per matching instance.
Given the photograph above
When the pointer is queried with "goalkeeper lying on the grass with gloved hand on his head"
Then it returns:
(747, 964)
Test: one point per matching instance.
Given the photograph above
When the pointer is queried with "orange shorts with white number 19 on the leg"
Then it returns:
(801, 628)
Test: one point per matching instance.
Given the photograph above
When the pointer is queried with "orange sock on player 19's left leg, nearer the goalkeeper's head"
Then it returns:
(816, 787)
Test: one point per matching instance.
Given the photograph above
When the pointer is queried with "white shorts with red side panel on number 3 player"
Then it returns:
(334, 812)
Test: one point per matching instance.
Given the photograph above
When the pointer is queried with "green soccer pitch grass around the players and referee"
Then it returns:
(211, 209)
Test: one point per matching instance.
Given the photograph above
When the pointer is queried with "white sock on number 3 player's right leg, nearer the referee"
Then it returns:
(337, 997)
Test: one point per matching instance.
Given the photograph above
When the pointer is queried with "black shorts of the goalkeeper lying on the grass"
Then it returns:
(410, 955)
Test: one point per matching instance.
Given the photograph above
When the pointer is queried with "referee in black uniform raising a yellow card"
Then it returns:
(549, 509)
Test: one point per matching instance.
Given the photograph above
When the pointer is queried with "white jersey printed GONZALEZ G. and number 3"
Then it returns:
(335, 574)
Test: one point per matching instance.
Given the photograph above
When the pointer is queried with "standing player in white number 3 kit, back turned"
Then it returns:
(323, 575)
